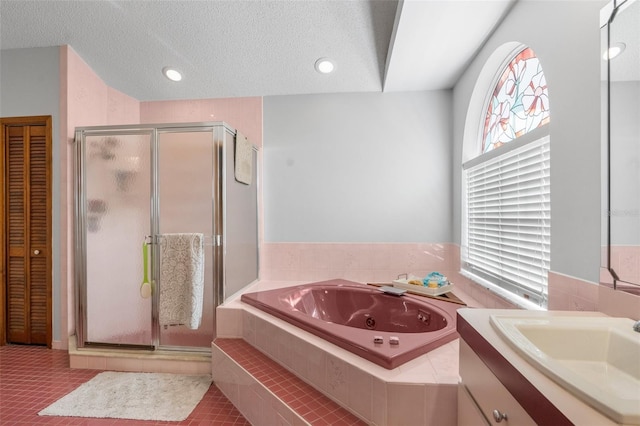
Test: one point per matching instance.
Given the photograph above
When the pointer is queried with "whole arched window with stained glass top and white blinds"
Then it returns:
(506, 211)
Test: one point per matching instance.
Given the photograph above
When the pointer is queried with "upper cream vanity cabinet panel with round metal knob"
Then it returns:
(488, 391)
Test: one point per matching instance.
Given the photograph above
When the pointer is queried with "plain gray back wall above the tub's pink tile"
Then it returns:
(367, 167)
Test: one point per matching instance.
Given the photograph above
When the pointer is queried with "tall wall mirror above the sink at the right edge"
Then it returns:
(620, 35)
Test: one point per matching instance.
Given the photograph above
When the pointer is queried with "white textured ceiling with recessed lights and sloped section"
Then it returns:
(259, 47)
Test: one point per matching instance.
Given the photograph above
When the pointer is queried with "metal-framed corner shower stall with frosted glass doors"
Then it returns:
(138, 184)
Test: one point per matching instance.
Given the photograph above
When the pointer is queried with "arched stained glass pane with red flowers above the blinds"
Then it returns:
(519, 104)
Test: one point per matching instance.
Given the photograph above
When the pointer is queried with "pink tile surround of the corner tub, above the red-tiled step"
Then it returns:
(422, 391)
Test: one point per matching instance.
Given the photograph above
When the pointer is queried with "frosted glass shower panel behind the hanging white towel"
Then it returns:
(185, 190)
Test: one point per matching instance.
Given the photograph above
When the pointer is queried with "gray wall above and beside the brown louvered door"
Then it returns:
(30, 85)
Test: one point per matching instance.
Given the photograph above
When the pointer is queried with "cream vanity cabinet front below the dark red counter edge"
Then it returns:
(482, 399)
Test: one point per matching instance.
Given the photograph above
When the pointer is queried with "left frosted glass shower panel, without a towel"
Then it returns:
(117, 171)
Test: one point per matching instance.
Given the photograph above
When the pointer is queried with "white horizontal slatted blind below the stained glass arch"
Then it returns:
(508, 220)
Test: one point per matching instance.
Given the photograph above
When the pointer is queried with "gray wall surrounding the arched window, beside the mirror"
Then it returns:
(566, 37)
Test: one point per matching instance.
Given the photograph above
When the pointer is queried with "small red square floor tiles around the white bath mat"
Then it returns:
(32, 377)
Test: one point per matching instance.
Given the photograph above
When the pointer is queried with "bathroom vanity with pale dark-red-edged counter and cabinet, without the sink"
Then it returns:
(499, 386)
